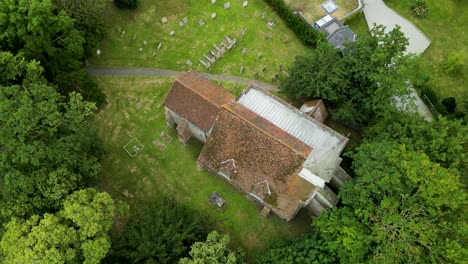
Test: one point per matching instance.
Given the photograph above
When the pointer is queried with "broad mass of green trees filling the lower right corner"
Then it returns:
(406, 204)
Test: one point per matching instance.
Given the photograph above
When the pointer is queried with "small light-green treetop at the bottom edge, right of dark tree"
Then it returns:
(214, 251)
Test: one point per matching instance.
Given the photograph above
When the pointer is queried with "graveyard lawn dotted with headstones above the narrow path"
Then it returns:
(278, 46)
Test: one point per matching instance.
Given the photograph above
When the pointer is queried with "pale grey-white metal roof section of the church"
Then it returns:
(326, 143)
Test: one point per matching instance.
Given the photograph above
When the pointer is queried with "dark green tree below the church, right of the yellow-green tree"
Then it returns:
(158, 232)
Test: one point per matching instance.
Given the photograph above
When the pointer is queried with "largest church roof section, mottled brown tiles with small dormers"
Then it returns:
(262, 153)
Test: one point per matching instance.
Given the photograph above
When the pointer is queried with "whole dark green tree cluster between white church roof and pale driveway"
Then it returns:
(362, 83)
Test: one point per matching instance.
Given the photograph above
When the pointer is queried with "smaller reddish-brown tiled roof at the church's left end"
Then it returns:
(197, 99)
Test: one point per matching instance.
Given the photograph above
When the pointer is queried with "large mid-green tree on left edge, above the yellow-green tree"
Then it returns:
(47, 149)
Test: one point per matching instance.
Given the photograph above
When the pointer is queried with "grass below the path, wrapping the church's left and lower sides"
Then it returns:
(154, 173)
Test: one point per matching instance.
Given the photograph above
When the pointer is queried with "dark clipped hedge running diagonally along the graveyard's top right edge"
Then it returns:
(308, 35)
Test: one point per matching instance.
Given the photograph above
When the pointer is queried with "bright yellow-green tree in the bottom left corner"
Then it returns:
(62, 237)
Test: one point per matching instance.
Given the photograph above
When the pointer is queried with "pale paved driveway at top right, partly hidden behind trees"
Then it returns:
(377, 12)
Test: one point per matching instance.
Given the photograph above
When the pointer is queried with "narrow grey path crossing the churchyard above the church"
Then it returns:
(160, 72)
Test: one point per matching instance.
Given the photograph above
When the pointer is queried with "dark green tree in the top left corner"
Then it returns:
(39, 32)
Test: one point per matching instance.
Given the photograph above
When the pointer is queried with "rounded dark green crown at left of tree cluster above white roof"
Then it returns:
(320, 74)
